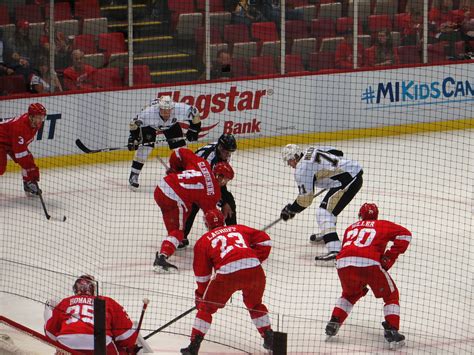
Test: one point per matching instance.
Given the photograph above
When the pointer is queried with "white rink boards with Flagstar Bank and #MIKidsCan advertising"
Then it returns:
(276, 107)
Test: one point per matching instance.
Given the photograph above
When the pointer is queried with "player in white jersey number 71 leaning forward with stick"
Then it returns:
(325, 168)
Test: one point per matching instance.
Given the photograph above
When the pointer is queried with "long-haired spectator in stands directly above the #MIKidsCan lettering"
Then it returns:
(382, 52)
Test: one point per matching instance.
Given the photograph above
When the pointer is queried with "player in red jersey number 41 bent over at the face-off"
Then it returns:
(189, 180)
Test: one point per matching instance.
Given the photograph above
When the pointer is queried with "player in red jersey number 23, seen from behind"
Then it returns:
(235, 254)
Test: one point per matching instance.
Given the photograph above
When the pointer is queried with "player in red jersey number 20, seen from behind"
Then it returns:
(363, 261)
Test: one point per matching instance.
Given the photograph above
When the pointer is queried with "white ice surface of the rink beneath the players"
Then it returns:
(422, 181)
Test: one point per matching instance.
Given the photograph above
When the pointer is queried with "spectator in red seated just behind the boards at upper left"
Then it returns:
(79, 76)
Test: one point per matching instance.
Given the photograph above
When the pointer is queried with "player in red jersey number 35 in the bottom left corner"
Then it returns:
(71, 322)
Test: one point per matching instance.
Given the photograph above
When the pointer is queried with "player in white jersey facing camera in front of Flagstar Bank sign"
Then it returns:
(162, 115)
